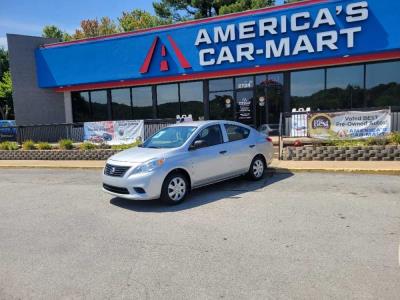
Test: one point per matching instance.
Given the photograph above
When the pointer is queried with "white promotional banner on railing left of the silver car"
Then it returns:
(114, 132)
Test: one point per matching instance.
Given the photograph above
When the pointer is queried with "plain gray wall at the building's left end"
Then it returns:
(32, 104)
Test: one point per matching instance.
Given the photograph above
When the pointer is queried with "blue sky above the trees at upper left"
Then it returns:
(30, 16)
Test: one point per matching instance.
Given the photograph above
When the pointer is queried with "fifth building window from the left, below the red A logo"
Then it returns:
(167, 101)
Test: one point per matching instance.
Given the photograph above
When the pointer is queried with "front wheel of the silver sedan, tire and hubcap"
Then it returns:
(174, 189)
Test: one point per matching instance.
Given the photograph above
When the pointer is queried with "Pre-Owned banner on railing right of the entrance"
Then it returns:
(349, 125)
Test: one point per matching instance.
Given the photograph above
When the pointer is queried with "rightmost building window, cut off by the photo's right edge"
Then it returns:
(383, 84)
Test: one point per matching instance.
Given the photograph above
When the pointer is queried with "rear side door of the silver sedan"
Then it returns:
(239, 147)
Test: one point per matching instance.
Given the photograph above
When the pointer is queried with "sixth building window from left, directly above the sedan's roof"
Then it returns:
(191, 96)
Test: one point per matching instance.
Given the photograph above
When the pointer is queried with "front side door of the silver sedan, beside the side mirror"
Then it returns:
(210, 162)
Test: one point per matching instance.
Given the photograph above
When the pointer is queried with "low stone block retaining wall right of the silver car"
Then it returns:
(371, 153)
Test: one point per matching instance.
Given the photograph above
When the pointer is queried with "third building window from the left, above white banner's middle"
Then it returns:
(121, 104)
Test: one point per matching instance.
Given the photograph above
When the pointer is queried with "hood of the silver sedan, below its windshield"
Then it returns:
(139, 155)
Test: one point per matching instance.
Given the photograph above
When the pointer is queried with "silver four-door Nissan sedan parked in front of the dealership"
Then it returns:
(185, 156)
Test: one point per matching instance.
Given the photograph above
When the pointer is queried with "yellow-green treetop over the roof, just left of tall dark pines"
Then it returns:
(139, 19)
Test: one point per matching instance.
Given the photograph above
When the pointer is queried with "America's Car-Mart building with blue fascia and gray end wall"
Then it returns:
(248, 66)
